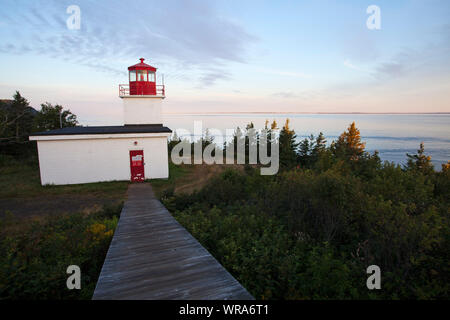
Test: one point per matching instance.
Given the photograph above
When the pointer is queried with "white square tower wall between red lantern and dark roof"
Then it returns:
(142, 110)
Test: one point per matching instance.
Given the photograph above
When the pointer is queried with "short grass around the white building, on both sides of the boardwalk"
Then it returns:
(22, 194)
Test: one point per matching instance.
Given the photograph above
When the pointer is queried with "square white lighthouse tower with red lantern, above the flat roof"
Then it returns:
(142, 97)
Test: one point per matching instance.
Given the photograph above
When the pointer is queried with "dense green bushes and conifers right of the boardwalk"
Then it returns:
(311, 231)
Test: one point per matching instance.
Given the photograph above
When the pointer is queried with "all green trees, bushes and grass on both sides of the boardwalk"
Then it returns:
(309, 232)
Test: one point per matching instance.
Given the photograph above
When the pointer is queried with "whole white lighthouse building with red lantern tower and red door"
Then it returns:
(135, 151)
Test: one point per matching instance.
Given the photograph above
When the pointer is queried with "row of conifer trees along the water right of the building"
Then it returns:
(311, 152)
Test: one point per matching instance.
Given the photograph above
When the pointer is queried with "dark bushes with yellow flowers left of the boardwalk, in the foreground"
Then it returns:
(34, 257)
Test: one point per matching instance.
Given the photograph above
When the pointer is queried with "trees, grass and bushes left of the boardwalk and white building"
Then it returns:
(45, 229)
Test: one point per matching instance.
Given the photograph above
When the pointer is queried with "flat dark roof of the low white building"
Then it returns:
(144, 128)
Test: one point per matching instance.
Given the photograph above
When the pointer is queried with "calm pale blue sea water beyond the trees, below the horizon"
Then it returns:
(393, 135)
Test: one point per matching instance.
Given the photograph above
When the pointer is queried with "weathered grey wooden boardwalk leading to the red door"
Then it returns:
(152, 256)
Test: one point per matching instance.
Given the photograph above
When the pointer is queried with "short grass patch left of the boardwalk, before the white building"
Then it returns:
(23, 196)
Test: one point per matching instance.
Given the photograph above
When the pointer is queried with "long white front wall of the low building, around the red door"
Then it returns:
(97, 159)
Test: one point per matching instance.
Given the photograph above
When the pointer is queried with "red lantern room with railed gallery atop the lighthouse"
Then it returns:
(142, 81)
